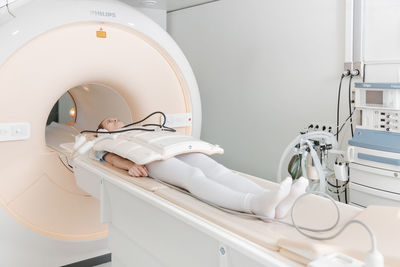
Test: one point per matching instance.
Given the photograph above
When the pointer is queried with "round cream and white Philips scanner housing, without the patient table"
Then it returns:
(114, 61)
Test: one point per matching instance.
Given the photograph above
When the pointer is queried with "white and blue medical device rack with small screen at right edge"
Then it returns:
(374, 151)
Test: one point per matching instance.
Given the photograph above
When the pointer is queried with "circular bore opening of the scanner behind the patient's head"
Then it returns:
(82, 107)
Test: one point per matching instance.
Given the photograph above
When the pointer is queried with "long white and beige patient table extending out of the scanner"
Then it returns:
(151, 224)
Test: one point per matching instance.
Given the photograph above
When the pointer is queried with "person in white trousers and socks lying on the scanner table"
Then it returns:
(207, 179)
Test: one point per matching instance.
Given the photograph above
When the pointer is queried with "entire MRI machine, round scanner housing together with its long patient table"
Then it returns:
(114, 61)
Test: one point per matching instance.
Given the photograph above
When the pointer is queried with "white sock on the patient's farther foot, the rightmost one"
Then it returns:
(298, 189)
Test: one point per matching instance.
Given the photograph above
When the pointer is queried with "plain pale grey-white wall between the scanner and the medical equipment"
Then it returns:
(265, 69)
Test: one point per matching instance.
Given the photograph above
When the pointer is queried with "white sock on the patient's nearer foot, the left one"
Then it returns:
(264, 204)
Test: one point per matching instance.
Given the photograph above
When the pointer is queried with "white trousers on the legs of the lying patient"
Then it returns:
(207, 179)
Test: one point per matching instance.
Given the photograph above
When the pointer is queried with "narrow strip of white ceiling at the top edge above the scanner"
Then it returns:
(169, 5)
